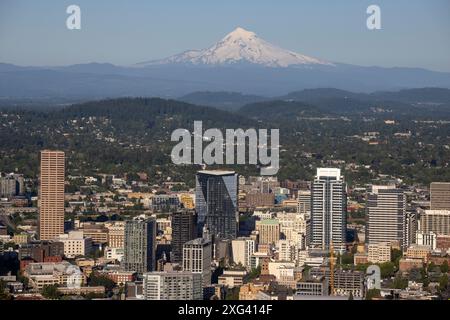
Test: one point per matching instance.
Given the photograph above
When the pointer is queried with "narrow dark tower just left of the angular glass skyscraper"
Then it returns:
(183, 230)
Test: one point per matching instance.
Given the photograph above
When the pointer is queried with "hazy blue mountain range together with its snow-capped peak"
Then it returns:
(241, 62)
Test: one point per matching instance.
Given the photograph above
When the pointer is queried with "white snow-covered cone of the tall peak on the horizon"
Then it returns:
(241, 46)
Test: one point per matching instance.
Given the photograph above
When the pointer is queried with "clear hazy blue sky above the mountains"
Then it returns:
(415, 33)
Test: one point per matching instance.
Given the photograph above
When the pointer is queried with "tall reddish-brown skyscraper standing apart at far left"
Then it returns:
(51, 194)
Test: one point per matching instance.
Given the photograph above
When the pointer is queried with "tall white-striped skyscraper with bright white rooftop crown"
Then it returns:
(328, 210)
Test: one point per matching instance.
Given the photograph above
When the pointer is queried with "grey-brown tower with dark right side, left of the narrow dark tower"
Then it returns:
(140, 245)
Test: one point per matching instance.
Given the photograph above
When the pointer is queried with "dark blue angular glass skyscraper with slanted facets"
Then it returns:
(216, 203)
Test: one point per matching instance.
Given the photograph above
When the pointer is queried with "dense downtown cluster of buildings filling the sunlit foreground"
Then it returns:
(276, 242)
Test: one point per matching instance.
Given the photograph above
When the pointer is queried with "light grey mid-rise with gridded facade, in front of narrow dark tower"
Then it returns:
(197, 258)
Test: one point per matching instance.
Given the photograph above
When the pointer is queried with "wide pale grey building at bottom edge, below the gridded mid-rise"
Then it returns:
(172, 285)
